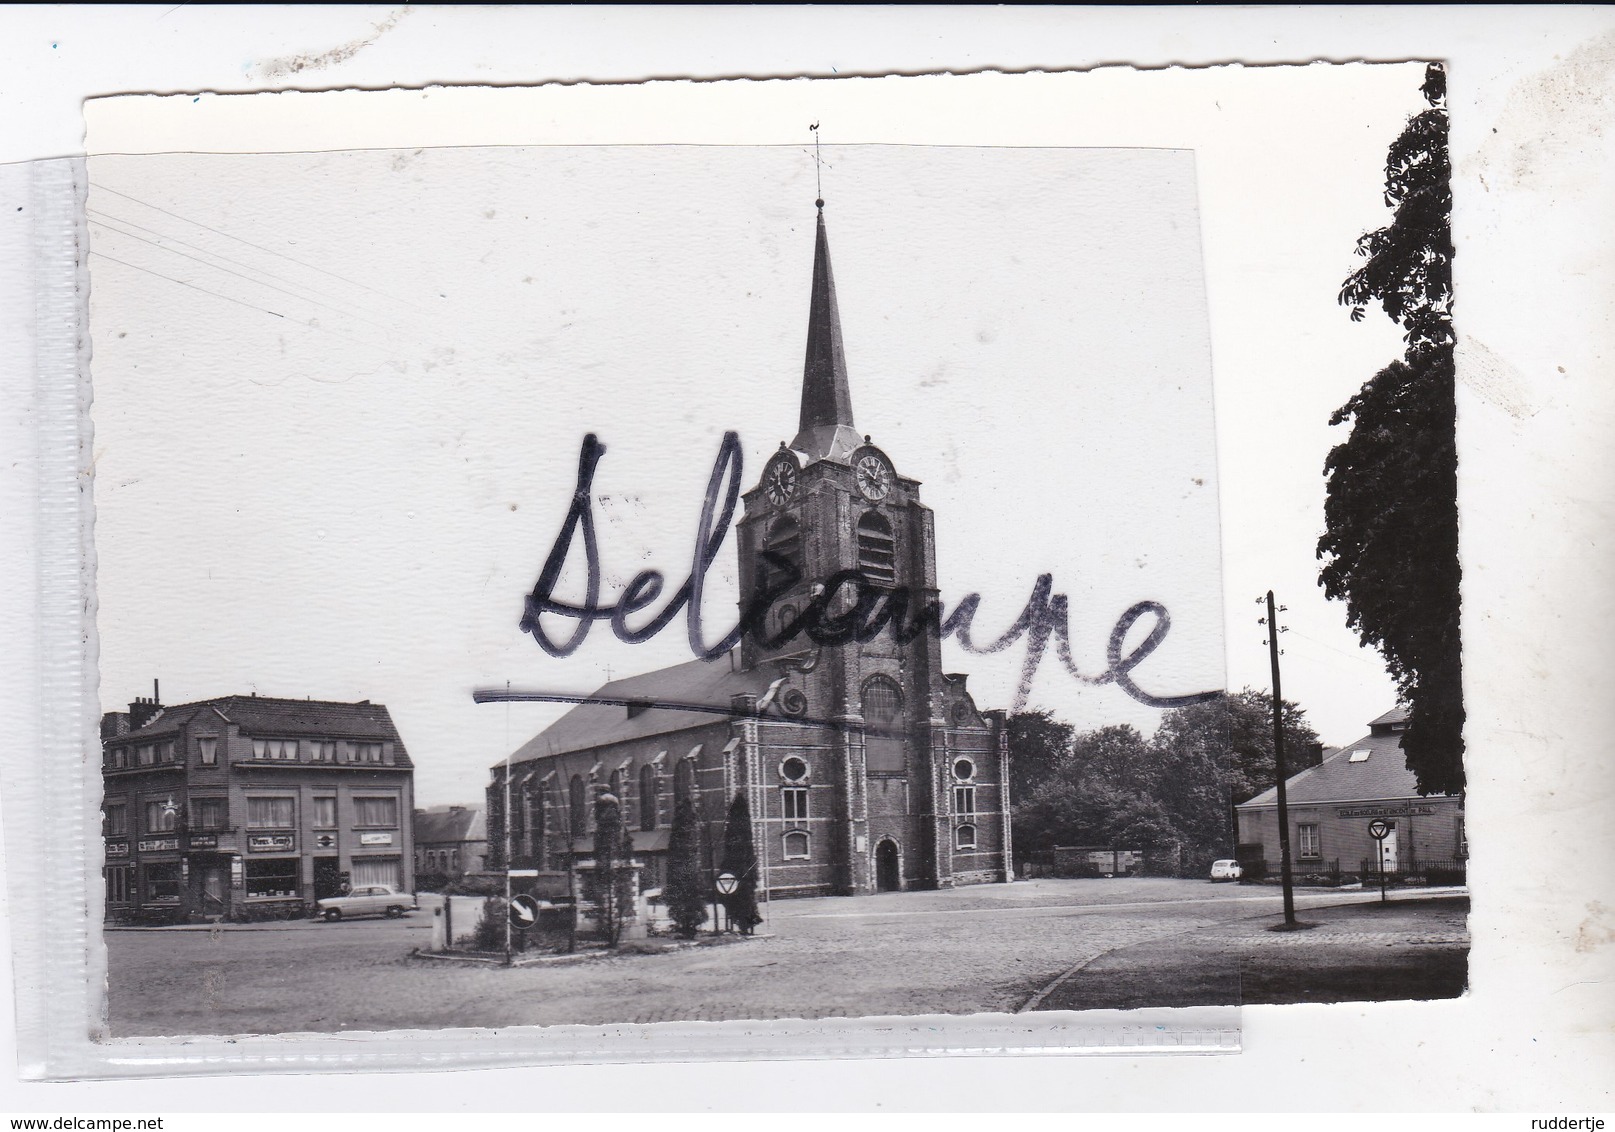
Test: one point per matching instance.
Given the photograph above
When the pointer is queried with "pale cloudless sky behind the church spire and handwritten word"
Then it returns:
(340, 395)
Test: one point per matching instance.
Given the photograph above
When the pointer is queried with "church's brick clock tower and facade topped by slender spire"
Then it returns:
(899, 734)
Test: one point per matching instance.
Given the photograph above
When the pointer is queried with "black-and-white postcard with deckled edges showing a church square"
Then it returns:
(556, 581)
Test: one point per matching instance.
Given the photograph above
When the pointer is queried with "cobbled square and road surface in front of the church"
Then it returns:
(984, 949)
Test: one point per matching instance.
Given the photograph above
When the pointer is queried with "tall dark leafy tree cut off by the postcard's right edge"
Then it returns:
(1391, 511)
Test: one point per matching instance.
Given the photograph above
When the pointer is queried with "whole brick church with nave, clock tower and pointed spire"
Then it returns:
(865, 765)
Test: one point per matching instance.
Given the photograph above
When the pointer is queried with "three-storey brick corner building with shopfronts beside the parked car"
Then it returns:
(251, 807)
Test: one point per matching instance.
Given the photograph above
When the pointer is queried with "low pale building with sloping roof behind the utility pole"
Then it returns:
(1333, 805)
